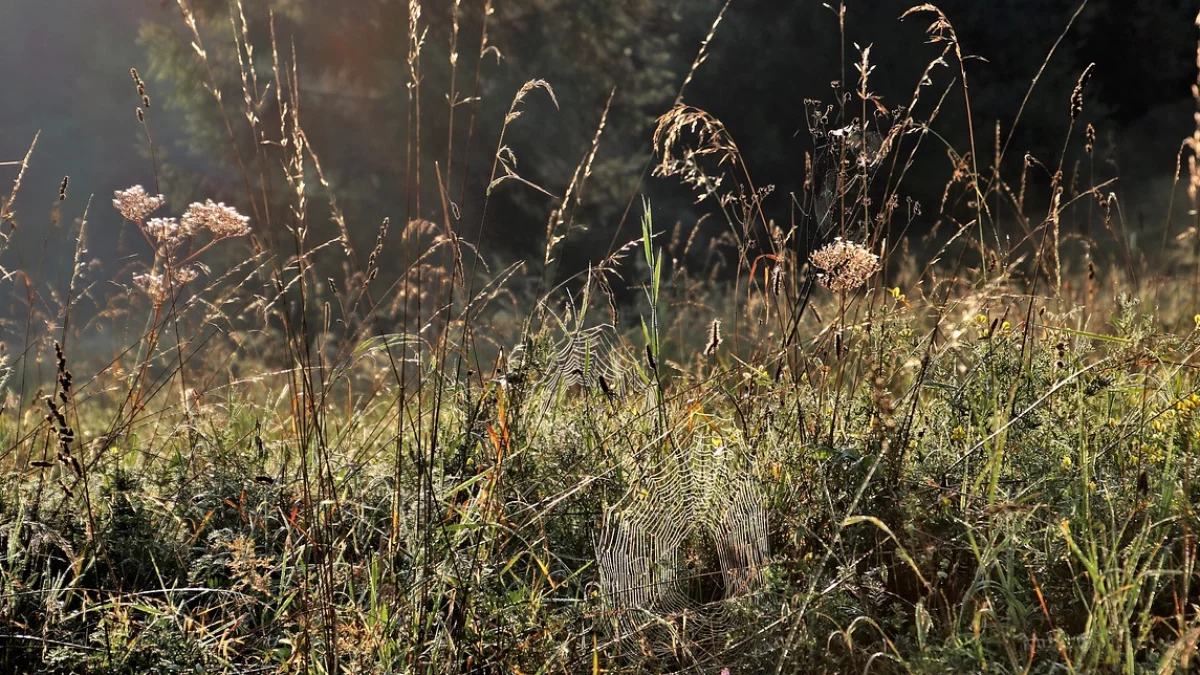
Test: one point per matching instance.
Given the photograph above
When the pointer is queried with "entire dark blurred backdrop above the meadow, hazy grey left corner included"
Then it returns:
(64, 70)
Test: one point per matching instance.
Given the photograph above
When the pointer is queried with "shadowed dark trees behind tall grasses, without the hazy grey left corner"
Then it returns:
(766, 59)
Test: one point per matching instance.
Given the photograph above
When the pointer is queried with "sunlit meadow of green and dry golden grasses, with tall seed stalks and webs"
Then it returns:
(818, 444)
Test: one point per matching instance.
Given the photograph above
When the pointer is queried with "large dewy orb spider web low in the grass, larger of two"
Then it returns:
(683, 554)
